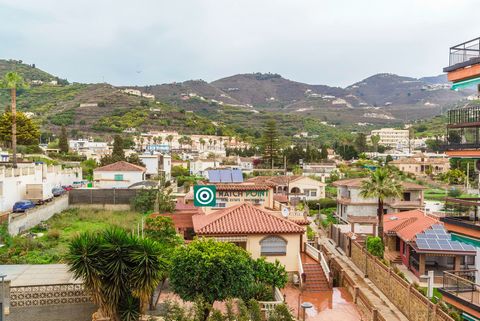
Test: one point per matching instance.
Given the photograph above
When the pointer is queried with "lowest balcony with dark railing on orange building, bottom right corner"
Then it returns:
(459, 289)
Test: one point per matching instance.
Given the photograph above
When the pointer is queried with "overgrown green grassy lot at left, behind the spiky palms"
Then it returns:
(49, 243)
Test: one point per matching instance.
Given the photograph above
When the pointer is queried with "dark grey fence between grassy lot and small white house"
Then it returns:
(110, 196)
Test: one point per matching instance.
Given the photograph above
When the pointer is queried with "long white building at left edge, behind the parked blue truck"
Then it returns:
(13, 181)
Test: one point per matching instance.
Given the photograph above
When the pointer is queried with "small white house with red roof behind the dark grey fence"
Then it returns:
(118, 175)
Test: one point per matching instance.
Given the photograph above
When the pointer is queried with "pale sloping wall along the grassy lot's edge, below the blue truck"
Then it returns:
(24, 221)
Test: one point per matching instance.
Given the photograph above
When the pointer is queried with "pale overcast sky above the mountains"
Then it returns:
(143, 42)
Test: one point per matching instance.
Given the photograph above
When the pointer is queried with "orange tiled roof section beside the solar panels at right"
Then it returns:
(407, 224)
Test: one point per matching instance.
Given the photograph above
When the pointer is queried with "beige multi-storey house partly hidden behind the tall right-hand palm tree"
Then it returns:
(354, 209)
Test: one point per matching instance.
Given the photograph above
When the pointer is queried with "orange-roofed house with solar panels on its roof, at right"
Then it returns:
(421, 243)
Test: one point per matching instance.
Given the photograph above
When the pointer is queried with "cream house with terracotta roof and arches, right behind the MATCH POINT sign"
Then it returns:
(295, 187)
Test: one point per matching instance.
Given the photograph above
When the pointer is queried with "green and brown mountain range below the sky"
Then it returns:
(241, 101)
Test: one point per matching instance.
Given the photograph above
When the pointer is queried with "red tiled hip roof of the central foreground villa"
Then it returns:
(243, 219)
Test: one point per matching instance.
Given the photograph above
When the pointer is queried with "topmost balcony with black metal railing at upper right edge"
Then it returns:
(464, 54)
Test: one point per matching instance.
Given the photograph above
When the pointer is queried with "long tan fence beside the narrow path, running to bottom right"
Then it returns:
(402, 294)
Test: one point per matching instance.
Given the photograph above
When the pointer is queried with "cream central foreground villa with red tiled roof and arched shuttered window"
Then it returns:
(255, 229)
